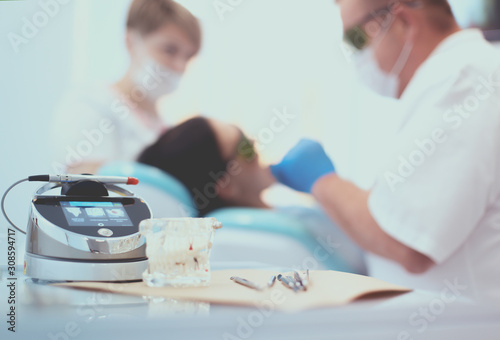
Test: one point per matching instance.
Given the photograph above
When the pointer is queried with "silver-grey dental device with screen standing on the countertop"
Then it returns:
(84, 234)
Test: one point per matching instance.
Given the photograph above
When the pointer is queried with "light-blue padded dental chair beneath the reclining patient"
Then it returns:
(249, 235)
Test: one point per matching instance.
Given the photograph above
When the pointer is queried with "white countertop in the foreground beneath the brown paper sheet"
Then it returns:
(47, 312)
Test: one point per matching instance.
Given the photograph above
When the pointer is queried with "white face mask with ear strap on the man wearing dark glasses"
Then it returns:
(370, 74)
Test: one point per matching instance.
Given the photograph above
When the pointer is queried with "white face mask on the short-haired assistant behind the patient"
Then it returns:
(156, 80)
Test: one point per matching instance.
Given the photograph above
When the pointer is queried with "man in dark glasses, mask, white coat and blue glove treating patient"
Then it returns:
(432, 218)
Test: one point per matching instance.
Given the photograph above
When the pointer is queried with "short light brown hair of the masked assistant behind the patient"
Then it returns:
(146, 16)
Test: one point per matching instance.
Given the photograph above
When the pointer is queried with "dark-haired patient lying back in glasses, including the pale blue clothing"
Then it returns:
(221, 168)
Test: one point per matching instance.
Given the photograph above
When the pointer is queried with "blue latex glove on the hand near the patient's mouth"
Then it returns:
(303, 166)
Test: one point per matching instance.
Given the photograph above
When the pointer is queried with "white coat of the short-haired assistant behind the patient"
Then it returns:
(97, 124)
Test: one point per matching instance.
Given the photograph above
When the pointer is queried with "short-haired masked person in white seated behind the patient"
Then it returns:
(100, 124)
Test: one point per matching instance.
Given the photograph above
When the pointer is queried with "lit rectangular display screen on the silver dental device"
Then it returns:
(95, 214)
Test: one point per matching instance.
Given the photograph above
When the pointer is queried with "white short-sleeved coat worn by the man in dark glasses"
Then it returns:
(440, 190)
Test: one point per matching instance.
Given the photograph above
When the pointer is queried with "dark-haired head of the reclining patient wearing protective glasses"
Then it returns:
(216, 162)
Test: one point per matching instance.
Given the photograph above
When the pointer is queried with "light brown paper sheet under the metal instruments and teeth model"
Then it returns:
(326, 289)
